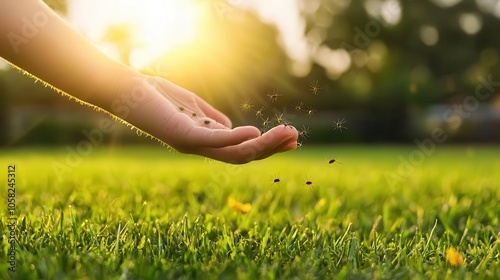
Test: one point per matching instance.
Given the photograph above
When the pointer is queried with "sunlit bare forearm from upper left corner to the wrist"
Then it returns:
(36, 39)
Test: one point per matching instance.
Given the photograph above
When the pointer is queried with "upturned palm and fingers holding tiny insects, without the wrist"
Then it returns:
(196, 127)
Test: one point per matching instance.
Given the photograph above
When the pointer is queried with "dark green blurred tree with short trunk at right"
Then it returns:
(427, 53)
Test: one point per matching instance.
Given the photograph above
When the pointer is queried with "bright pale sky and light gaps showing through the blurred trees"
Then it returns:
(162, 25)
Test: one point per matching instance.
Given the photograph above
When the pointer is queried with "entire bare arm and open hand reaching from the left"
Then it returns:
(34, 38)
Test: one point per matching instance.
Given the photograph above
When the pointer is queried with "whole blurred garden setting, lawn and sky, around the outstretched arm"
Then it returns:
(416, 160)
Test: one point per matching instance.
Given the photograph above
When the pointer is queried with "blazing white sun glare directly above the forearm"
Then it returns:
(151, 27)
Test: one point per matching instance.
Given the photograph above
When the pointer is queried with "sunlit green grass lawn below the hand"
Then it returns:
(145, 213)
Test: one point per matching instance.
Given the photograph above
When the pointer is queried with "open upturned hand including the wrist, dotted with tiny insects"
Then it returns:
(190, 125)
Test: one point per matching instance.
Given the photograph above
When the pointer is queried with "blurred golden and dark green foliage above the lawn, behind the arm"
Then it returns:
(399, 80)
